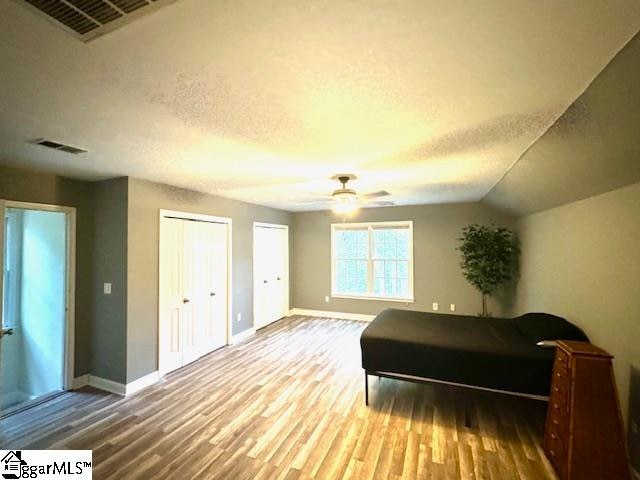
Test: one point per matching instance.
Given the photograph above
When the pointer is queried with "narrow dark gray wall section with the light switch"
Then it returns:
(109, 334)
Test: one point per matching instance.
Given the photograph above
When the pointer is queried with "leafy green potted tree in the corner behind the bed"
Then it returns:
(489, 255)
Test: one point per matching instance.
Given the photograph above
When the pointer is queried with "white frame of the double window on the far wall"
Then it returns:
(370, 227)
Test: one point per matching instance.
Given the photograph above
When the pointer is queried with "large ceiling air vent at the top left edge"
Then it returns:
(89, 19)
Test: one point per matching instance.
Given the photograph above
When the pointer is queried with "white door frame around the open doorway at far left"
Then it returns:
(70, 277)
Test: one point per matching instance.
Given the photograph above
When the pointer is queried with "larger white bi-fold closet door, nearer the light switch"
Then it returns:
(193, 290)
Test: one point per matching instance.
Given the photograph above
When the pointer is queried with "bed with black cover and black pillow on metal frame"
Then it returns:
(488, 353)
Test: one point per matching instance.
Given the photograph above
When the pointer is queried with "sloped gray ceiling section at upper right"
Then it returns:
(593, 148)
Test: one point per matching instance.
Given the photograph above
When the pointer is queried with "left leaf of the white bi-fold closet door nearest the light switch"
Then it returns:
(171, 296)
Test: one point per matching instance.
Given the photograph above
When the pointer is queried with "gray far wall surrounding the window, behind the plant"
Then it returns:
(437, 274)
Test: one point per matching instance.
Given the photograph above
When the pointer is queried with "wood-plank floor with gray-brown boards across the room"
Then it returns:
(289, 403)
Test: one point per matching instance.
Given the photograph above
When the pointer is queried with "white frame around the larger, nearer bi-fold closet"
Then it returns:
(162, 215)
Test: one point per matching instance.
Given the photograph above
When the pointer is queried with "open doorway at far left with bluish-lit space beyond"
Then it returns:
(37, 265)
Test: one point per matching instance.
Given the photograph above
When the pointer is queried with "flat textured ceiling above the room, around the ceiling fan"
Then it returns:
(263, 101)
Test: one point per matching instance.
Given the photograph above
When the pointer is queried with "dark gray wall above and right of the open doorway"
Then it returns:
(26, 186)
